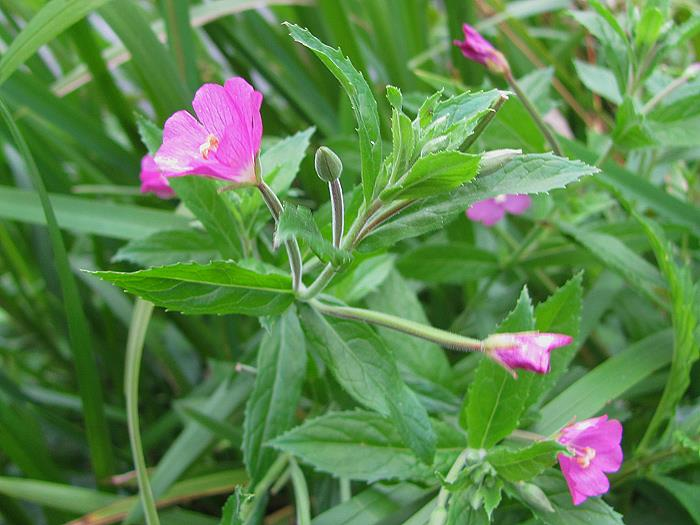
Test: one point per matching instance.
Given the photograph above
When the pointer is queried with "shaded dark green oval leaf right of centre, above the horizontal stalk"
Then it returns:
(458, 263)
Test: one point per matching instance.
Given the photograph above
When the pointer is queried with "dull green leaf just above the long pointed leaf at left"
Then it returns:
(169, 247)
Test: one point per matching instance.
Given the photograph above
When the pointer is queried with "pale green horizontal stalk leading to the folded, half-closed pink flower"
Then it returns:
(429, 333)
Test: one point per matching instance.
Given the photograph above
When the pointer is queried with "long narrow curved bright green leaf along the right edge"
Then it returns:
(686, 346)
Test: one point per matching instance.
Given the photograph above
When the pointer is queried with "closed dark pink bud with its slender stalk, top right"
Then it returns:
(476, 48)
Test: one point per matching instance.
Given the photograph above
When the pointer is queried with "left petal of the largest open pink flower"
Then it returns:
(182, 137)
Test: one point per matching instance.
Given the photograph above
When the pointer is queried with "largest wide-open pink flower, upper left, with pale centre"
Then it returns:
(222, 142)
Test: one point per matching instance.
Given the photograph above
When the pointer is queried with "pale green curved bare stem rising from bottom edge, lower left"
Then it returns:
(134, 351)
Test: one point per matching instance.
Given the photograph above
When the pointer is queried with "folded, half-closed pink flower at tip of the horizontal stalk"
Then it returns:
(527, 350)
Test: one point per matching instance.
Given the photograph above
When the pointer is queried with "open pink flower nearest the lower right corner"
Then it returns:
(595, 448)
